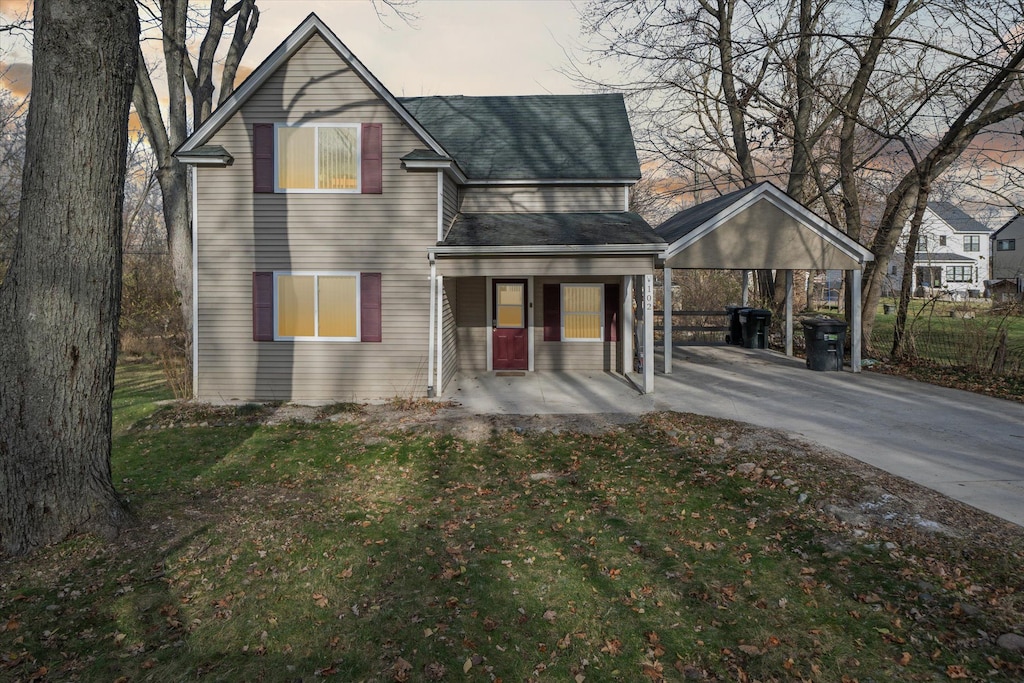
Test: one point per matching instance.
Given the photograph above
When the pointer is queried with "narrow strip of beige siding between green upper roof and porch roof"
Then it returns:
(543, 199)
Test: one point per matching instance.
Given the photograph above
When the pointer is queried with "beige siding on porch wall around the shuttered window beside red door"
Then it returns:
(574, 357)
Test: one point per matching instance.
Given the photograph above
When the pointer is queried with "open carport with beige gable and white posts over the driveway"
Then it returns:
(761, 229)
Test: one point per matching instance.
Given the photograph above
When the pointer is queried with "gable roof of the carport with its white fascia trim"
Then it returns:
(690, 226)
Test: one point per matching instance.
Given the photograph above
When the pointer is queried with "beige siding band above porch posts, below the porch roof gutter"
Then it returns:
(508, 267)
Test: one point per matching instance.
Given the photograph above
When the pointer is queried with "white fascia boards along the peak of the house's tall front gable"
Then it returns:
(297, 39)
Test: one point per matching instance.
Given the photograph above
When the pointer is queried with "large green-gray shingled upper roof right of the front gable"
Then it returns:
(532, 138)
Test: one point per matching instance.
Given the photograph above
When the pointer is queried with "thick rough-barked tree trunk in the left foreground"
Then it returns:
(61, 300)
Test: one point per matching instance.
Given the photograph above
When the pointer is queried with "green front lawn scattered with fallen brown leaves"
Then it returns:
(349, 551)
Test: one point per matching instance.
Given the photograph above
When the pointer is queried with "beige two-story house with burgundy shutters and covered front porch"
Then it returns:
(354, 245)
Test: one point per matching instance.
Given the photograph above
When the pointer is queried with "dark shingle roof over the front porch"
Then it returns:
(523, 230)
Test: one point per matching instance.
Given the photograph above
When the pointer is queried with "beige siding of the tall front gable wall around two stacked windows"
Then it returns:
(240, 233)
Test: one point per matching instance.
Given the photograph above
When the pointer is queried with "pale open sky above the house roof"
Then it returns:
(471, 48)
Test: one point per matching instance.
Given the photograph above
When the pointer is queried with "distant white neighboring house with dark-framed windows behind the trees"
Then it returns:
(952, 257)
